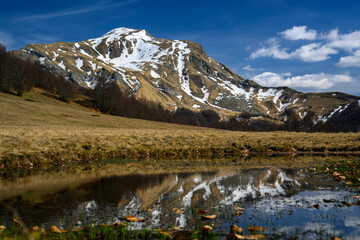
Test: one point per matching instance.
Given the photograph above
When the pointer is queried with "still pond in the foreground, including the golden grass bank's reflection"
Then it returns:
(286, 201)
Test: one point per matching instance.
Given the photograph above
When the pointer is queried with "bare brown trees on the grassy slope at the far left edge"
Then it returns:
(18, 76)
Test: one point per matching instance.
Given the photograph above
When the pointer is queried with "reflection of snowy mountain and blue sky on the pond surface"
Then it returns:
(282, 198)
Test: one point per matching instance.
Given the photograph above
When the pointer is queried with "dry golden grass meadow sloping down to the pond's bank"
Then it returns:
(47, 131)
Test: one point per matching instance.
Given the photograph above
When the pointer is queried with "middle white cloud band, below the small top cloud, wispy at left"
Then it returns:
(314, 52)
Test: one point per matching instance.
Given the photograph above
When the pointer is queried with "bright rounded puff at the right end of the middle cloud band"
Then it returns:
(314, 52)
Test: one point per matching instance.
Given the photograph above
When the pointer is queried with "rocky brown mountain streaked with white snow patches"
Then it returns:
(179, 74)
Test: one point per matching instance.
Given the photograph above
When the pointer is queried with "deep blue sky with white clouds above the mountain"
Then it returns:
(307, 45)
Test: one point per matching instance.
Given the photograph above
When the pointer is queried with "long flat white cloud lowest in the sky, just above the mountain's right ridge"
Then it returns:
(320, 81)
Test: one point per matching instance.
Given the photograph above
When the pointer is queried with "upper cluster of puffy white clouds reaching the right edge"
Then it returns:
(323, 45)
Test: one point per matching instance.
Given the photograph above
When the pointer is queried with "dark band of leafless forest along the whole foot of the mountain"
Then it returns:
(18, 76)
